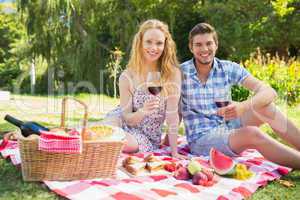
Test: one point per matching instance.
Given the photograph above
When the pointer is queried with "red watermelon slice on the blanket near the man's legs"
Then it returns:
(221, 163)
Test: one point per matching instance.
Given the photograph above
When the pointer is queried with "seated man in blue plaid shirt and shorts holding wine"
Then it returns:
(232, 128)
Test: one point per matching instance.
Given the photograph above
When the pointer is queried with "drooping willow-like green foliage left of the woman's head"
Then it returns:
(75, 37)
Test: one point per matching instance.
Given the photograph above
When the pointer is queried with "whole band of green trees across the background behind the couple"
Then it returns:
(76, 37)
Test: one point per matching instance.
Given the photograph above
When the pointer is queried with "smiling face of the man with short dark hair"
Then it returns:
(203, 48)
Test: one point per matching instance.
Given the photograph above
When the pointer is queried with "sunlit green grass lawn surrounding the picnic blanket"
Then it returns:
(46, 111)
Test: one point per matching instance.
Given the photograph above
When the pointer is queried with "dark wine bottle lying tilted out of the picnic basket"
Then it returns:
(27, 128)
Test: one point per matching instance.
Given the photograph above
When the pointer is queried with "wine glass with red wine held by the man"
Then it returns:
(222, 98)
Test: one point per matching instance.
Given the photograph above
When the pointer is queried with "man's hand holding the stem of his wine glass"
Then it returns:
(232, 111)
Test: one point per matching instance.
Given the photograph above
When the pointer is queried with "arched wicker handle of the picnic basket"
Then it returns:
(85, 115)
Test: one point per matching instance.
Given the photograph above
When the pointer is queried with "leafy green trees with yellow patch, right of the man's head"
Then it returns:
(257, 23)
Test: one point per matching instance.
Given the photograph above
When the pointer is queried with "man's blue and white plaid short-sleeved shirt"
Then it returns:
(197, 99)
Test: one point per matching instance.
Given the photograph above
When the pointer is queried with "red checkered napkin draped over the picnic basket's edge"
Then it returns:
(56, 143)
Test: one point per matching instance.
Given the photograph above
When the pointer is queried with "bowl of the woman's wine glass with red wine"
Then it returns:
(154, 83)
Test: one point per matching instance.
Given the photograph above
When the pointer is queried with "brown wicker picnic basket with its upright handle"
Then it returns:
(97, 160)
